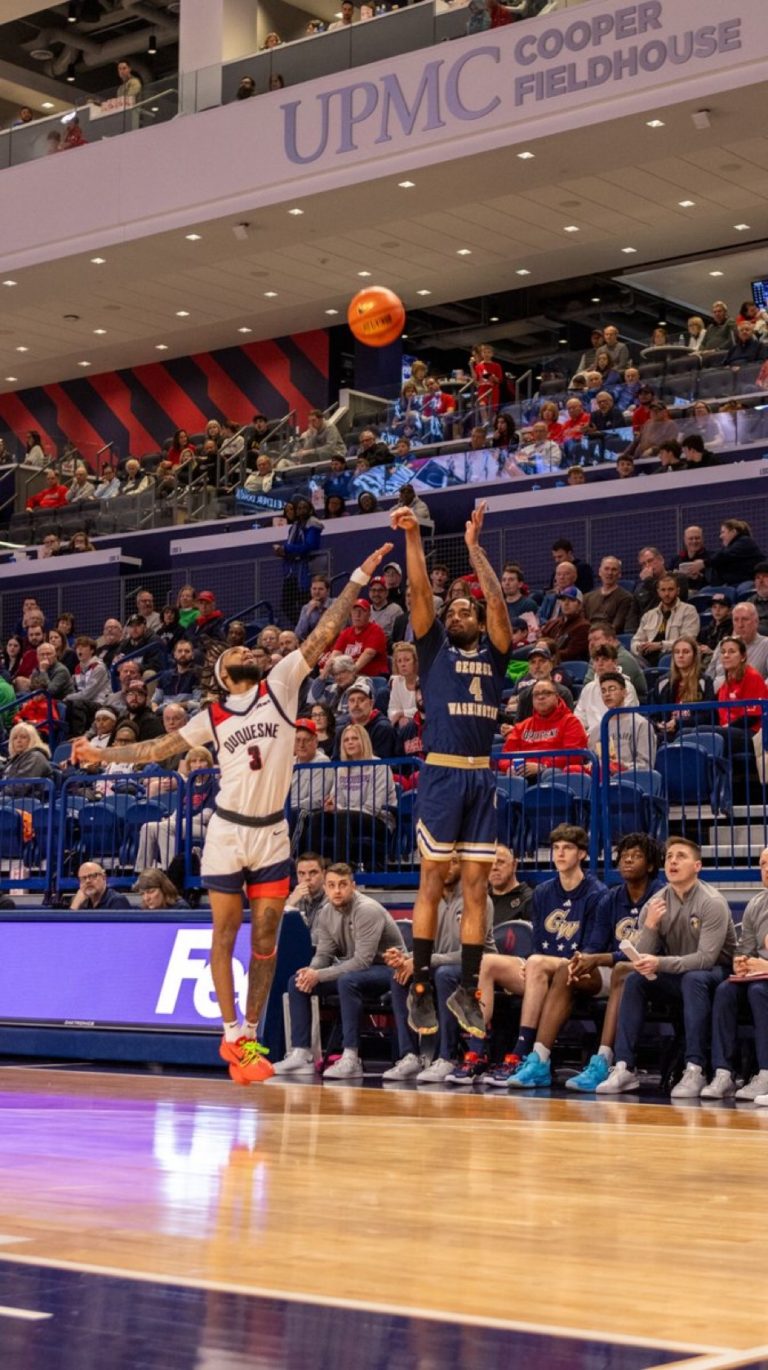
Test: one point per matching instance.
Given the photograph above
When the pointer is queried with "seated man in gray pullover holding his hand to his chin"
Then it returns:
(685, 945)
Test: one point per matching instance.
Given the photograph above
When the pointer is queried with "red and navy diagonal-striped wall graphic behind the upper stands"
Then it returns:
(139, 409)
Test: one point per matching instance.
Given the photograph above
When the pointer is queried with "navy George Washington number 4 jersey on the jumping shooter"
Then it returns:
(462, 694)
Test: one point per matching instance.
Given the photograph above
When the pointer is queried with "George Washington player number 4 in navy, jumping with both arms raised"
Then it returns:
(462, 675)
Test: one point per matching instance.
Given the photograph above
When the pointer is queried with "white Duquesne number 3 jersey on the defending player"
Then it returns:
(253, 739)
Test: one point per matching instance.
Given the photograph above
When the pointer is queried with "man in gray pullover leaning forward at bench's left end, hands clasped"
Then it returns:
(351, 936)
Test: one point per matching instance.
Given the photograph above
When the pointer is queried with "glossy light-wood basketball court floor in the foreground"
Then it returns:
(614, 1221)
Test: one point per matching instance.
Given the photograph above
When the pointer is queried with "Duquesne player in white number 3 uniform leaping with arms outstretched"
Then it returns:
(247, 845)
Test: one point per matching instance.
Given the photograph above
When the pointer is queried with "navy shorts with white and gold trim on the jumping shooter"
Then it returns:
(457, 814)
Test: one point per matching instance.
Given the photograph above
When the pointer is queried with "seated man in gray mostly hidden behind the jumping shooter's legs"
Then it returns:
(446, 967)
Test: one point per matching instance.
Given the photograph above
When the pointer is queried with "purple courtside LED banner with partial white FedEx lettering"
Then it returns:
(123, 975)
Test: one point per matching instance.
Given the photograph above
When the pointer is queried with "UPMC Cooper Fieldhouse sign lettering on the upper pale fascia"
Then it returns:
(563, 58)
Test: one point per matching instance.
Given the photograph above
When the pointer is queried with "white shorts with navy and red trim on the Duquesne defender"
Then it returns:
(236, 856)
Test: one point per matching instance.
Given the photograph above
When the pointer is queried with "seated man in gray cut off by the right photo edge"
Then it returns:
(732, 998)
